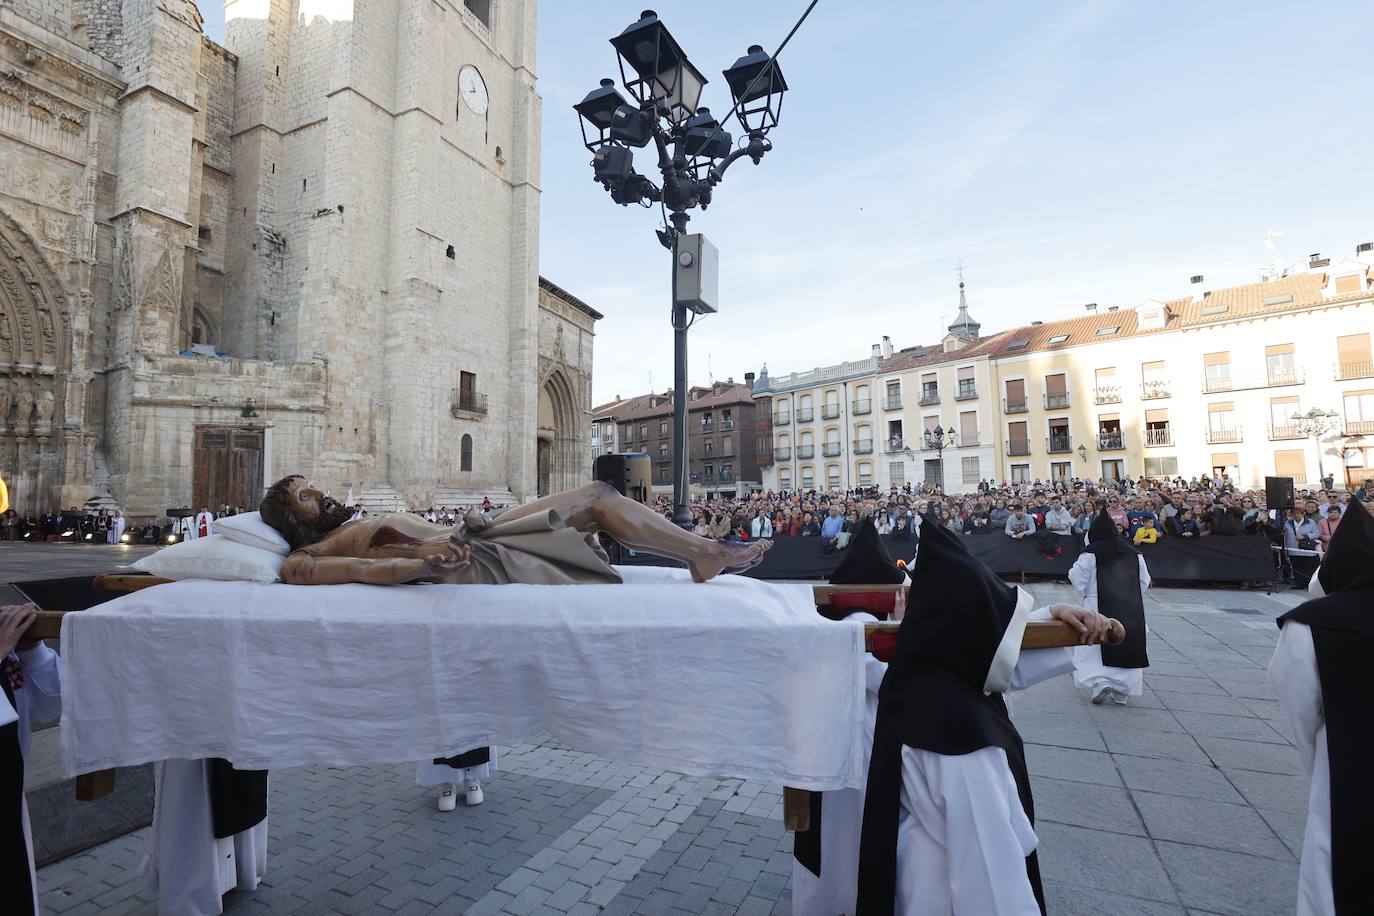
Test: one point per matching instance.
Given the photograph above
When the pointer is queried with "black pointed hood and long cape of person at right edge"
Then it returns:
(1343, 635)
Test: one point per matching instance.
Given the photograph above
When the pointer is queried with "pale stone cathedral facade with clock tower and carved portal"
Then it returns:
(310, 251)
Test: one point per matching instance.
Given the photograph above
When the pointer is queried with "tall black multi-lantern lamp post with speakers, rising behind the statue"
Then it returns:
(693, 153)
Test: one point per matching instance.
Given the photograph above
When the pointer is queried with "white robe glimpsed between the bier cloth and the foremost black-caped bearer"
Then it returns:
(842, 825)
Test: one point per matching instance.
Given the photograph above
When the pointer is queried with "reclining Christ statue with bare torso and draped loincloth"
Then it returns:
(550, 542)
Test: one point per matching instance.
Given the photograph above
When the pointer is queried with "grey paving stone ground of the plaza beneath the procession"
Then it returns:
(1186, 801)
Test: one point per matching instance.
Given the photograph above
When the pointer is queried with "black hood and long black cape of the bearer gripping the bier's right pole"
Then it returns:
(958, 645)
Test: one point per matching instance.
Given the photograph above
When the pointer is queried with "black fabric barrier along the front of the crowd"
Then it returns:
(1213, 560)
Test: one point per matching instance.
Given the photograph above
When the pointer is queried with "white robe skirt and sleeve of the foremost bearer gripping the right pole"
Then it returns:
(962, 836)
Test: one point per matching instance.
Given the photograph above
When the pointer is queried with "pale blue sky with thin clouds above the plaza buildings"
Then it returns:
(1066, 152)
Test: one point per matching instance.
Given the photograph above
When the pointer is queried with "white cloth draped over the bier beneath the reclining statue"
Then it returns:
(732, 678)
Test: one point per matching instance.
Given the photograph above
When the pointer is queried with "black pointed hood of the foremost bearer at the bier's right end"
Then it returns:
(958, 610)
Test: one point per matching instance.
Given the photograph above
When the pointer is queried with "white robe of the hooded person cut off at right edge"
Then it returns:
(1299, 690)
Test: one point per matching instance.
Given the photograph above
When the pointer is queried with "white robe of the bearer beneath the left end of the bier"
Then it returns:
(188, 867)
